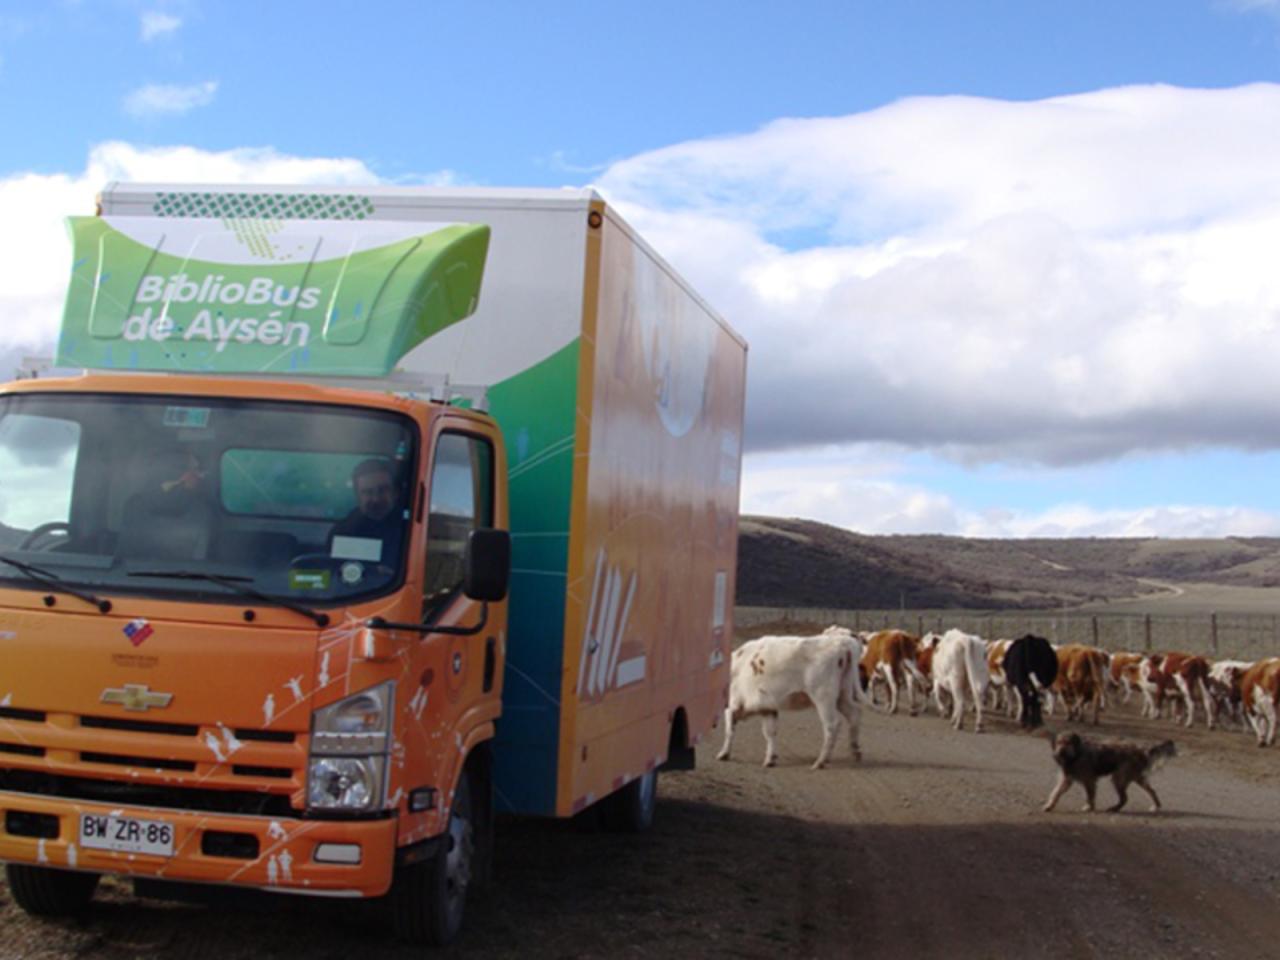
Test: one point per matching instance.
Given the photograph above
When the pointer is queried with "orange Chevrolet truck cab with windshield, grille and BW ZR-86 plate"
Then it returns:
(239, 641)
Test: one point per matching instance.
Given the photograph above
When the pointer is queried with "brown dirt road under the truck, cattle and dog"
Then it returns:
(932, 848)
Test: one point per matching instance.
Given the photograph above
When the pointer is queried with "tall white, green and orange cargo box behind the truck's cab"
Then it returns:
(620, 396)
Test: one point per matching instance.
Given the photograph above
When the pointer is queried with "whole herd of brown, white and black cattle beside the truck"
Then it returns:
(838, 671)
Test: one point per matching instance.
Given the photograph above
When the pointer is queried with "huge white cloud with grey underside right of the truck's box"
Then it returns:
(1055, 282)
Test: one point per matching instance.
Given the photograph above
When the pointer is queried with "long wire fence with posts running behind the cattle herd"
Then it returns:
(1246, 637)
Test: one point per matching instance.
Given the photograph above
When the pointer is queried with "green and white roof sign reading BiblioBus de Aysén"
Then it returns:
(264, 296)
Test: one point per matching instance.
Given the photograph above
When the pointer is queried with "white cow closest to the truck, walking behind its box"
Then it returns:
(776, 674)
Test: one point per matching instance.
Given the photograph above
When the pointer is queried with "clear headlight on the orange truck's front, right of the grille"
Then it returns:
(350, 743)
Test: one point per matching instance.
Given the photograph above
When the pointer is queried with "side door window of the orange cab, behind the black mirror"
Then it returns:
(461, 501)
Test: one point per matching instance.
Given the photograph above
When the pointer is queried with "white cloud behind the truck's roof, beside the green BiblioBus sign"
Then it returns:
(36, 253)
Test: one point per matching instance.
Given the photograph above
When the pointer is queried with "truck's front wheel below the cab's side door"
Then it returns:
(428, 899)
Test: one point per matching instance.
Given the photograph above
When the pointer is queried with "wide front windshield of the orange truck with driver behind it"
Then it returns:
(303, 502)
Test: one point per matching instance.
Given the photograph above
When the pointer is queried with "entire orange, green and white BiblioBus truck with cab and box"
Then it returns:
(367, 516)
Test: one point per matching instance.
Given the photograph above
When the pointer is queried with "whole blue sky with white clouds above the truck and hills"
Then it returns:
(1005, 268)
